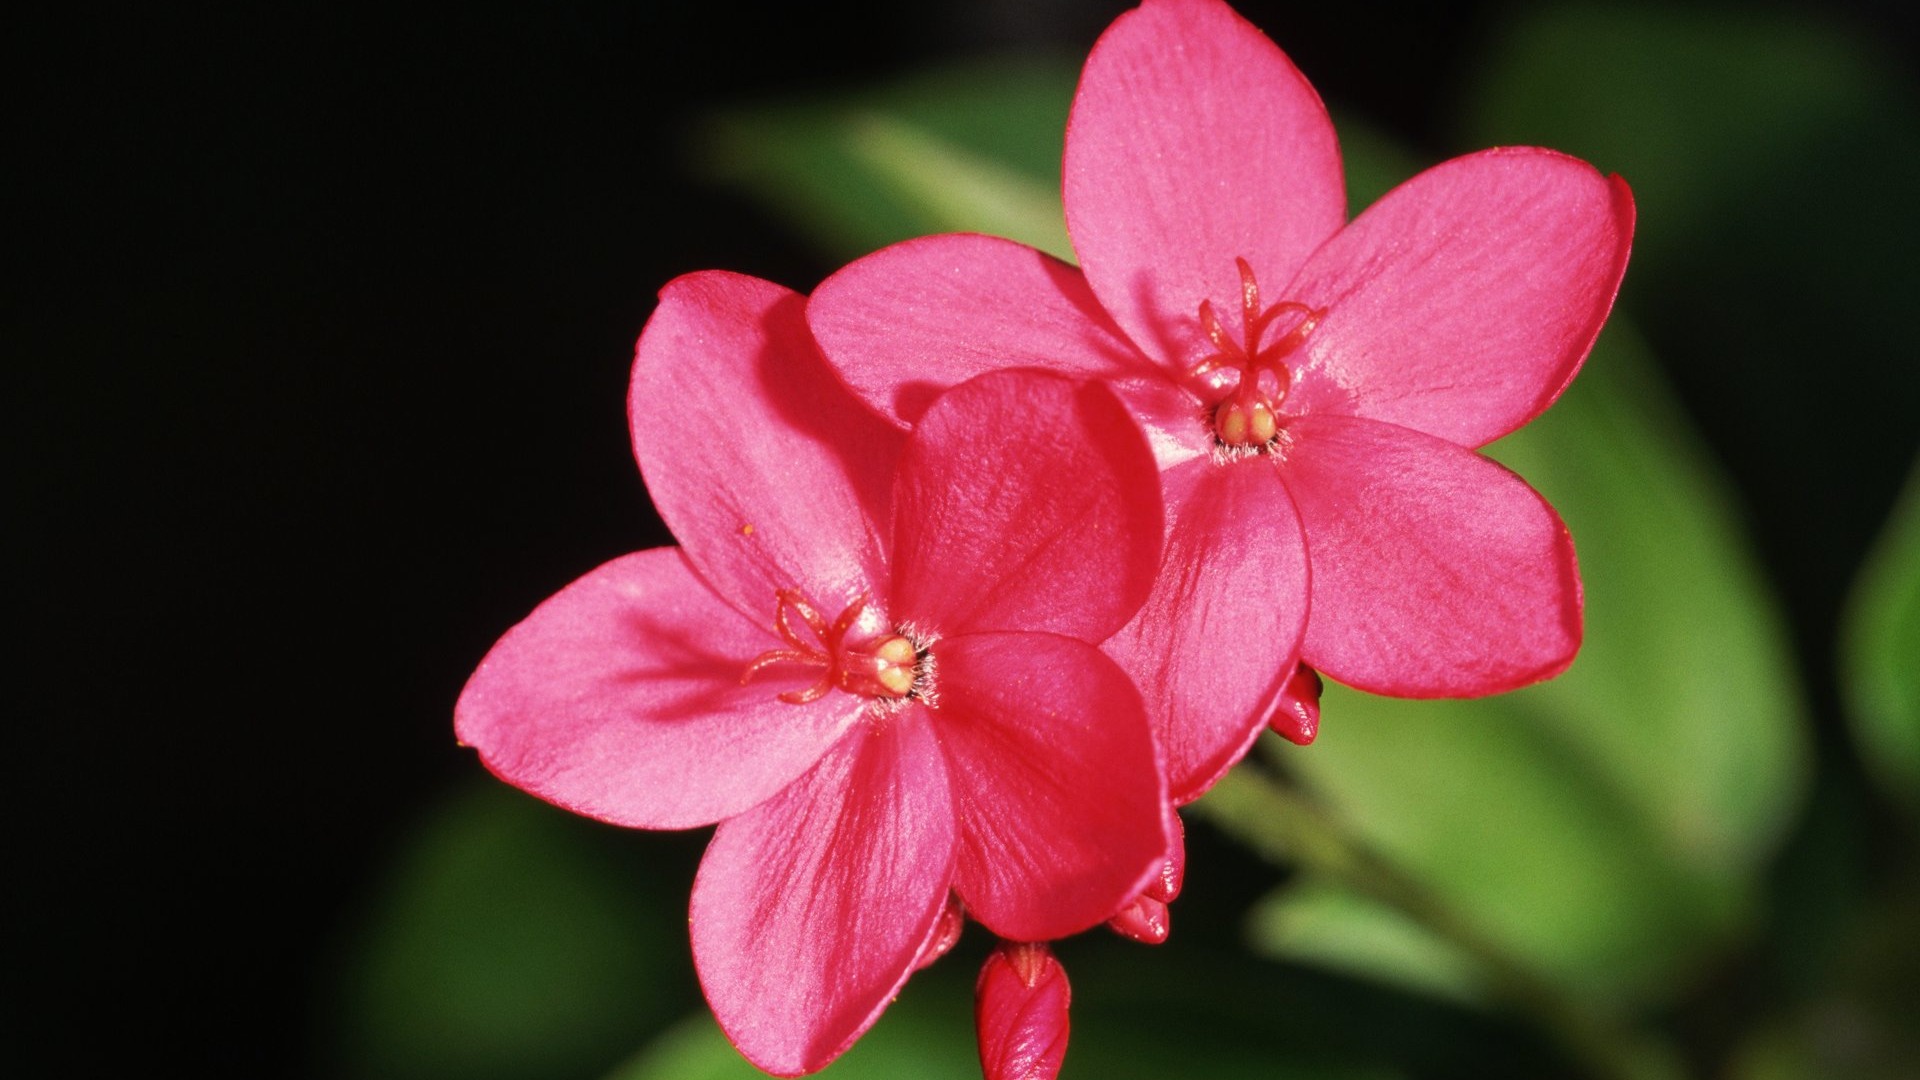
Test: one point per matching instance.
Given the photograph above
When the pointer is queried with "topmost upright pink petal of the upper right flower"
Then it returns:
(1193, 143)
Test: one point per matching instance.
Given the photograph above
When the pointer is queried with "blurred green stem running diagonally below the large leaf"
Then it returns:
(1287, 827)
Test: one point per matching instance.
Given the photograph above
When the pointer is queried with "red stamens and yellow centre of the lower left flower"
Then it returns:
(886, 666)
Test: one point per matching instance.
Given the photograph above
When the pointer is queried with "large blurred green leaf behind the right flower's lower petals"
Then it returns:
(1606, 827)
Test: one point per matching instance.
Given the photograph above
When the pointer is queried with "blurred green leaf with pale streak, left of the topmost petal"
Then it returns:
(971, 149)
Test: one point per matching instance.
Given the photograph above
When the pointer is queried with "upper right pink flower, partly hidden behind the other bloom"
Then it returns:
(1314, 389)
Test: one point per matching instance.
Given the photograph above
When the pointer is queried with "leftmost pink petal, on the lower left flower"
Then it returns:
(621, 699)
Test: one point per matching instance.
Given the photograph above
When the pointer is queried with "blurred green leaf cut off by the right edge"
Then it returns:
(1883, 652)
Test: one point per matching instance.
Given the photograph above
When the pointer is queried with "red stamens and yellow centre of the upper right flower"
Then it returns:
(1247, 405)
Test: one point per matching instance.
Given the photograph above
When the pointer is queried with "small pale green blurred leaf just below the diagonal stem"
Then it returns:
(1343, 931)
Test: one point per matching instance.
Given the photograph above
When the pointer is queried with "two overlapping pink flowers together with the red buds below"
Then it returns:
(990, 562)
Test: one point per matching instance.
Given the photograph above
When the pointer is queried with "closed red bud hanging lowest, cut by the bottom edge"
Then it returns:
(1020, 1014)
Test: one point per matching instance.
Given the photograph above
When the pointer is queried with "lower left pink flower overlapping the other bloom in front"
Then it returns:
(869, 662)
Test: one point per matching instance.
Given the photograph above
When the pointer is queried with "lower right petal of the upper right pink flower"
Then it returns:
(1437, 574)
